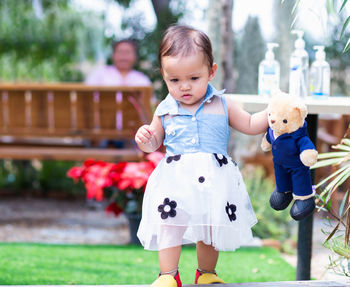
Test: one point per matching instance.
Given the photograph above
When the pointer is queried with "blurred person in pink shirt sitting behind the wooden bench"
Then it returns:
(121, 73)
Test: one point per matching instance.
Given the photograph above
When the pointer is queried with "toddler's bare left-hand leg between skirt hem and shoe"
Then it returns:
(169, 260)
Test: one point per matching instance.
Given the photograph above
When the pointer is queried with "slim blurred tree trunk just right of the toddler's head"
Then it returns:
(227, 45)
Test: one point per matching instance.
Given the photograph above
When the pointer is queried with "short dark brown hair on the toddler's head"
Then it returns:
(184, 40)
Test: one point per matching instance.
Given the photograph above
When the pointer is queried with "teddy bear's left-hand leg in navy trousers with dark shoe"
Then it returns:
(282, 195)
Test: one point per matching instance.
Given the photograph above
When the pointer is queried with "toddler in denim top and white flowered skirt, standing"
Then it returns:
(196, 193)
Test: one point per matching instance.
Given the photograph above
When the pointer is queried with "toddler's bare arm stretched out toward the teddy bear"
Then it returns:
(239, 119)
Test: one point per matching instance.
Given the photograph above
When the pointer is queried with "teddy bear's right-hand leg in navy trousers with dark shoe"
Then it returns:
(303, 194)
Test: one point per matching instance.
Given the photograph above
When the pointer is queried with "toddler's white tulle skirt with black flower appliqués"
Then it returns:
(196, 197)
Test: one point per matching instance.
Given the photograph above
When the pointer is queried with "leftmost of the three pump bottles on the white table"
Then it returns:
(269, 72)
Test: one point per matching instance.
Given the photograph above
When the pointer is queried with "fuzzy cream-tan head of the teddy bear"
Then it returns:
(286, 113)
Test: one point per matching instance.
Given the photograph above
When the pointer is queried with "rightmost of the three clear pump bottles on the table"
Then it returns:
(320, 75)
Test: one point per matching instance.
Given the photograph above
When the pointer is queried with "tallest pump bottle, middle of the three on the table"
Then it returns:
(299, 67)
